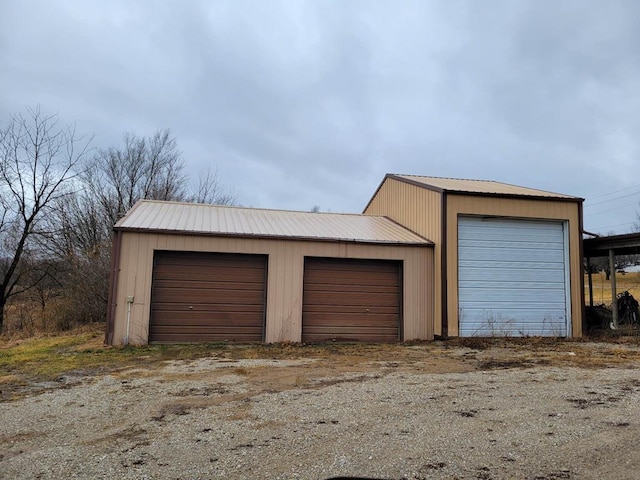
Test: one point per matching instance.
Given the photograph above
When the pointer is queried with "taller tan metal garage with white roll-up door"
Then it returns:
(508, 259)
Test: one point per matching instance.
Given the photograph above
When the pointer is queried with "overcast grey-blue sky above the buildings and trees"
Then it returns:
(303, 103)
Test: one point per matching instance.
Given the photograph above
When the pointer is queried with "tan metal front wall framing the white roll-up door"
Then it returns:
(517, 208)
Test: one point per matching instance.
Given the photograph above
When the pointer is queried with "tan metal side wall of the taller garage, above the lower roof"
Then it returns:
(420, 210)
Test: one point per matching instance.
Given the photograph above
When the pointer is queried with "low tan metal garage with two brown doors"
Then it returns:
(191, 273)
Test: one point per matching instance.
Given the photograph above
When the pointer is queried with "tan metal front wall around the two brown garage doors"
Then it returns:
(284, 282)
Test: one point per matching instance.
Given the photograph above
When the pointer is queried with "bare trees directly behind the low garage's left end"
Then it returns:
(116, 178)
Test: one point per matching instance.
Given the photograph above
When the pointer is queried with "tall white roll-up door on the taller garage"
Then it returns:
(512, 277)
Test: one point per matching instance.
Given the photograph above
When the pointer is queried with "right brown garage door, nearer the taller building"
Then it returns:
(352, 300)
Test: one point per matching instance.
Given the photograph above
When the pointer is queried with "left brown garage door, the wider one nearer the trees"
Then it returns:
(207, 297)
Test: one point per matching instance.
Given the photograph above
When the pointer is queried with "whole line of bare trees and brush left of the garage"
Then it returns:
(59, 199)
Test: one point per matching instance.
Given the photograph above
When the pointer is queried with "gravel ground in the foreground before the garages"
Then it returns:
(433, 415)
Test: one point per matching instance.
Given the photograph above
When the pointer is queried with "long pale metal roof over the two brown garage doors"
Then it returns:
(177, 217)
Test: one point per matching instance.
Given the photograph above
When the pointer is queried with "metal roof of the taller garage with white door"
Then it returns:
(483, 187)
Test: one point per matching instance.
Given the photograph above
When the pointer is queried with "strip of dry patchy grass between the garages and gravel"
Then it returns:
(32, 365)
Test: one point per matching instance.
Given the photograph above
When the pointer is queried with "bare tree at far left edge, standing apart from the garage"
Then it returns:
(38, 161)
